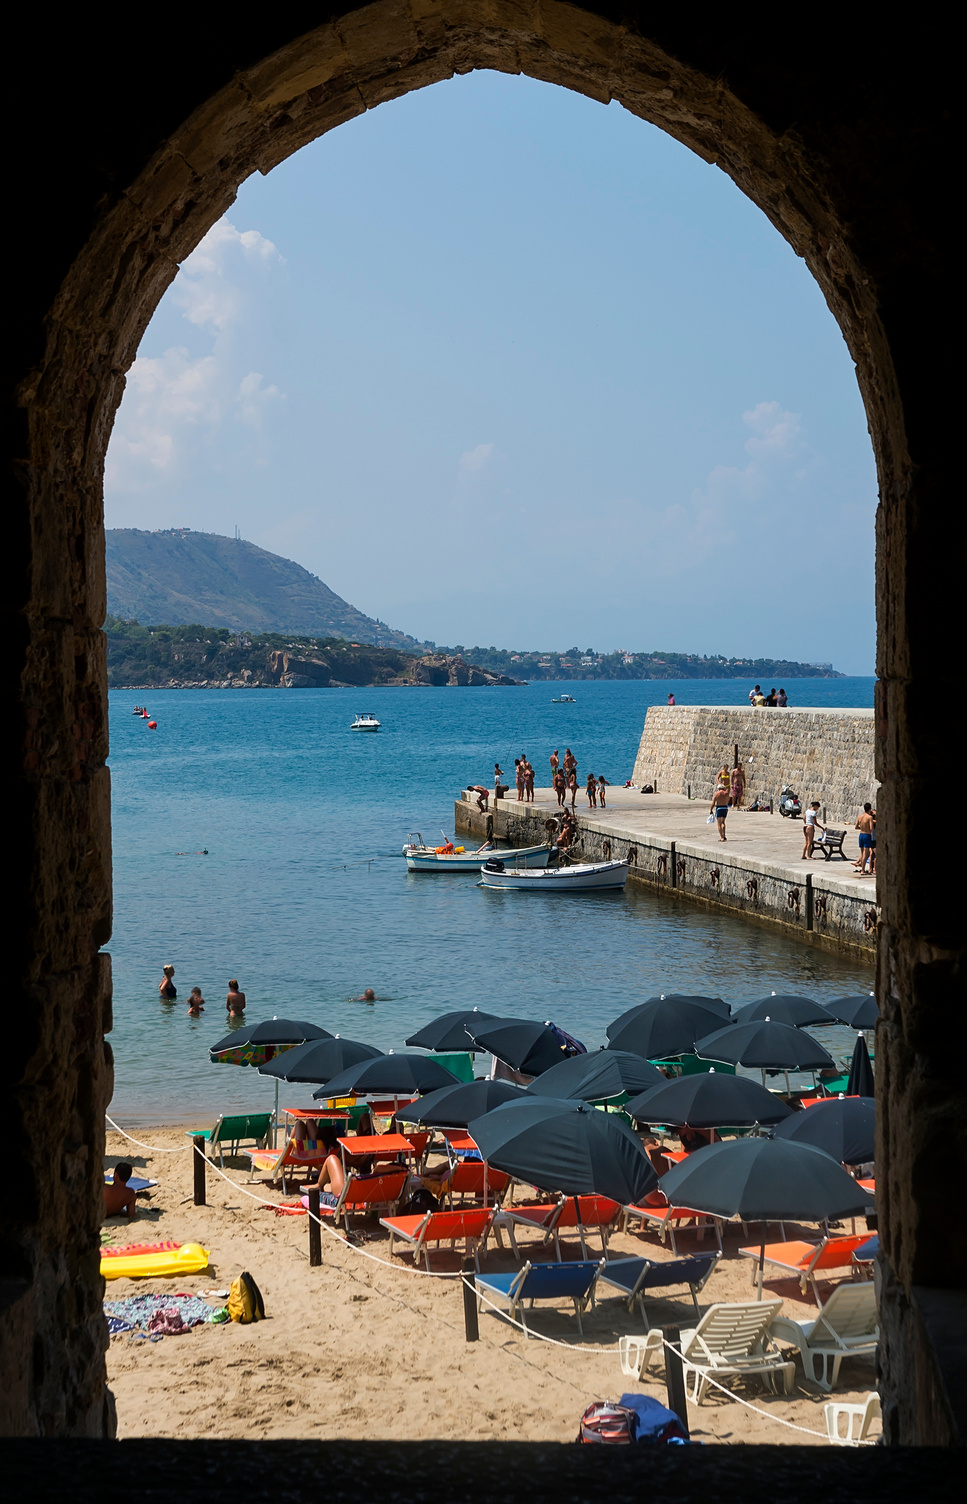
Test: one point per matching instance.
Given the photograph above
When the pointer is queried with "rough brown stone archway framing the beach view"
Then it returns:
(816, 142)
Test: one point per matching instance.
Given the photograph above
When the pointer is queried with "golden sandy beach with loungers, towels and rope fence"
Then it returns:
(363, 1348)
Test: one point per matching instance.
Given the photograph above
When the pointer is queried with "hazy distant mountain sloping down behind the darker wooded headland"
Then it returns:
(181, 577)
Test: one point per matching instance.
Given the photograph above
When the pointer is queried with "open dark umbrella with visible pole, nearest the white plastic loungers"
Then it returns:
(765, 1180)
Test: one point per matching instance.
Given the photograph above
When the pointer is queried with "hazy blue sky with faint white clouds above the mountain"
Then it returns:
(508, 366)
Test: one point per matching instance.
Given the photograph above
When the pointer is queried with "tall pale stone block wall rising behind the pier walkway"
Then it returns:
(823, 754)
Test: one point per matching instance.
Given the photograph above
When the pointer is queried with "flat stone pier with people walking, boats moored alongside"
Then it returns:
(756, 873)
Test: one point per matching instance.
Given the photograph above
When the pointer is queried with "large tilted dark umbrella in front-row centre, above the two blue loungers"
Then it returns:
(566, 1147)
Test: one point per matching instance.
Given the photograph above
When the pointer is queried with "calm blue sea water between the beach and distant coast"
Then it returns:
(305, 896)
